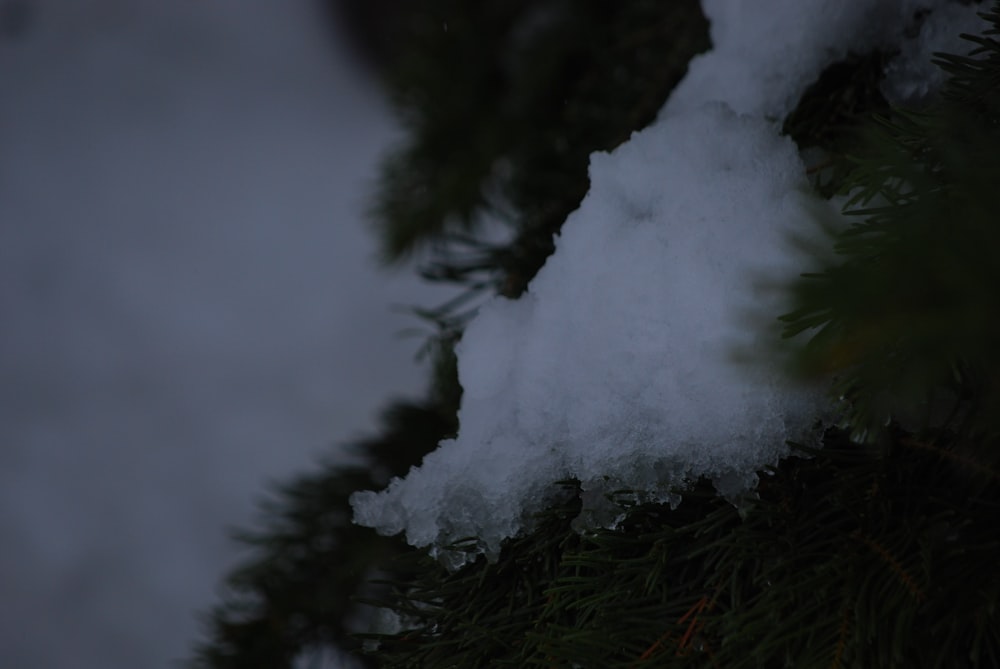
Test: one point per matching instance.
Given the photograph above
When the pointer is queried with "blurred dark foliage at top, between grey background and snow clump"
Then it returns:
(504, 103)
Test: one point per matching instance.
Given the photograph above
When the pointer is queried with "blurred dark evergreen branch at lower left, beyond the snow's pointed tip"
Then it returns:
(310, 561)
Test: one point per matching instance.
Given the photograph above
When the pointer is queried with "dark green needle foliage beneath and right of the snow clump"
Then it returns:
(873, 555)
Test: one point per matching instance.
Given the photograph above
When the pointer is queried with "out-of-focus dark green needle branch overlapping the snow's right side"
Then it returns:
(907, 312)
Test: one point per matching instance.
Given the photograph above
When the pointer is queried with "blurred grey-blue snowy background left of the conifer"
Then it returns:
(189, 303)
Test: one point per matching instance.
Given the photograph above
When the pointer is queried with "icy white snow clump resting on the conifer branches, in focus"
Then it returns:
(626, 363)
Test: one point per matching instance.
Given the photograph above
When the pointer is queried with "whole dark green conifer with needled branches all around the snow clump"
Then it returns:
(876, 550)
